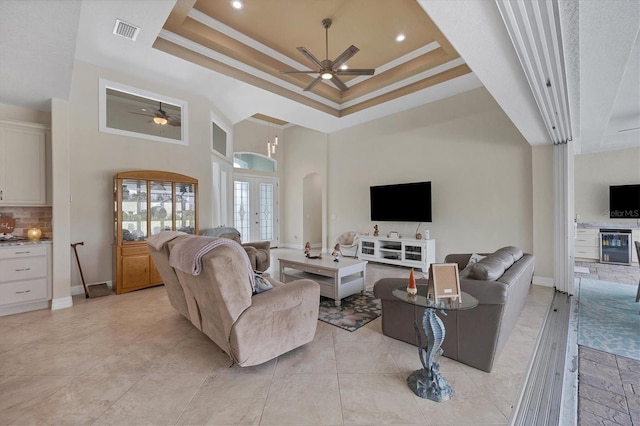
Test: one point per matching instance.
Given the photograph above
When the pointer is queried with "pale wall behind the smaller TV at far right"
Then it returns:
(594, 173)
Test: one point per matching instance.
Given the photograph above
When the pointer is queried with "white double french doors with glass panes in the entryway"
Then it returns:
(255, 208)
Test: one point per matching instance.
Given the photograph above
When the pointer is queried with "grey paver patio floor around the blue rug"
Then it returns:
(608, 385)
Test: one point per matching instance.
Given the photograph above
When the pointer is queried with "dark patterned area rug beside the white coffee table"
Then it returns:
(354, 311)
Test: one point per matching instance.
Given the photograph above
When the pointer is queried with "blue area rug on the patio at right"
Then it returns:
(609, 317)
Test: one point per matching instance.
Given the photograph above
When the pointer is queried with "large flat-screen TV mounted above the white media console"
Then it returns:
(404, 202)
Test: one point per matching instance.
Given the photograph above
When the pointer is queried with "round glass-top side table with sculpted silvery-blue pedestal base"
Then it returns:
(427, 382)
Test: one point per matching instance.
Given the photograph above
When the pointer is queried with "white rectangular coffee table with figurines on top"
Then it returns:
(337, 279)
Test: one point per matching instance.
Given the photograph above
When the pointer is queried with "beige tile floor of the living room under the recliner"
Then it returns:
(132, 359)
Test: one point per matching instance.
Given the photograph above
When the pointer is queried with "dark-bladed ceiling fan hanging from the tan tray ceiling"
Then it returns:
(330, 70)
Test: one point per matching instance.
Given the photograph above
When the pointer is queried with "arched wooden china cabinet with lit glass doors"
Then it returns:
(147, 202)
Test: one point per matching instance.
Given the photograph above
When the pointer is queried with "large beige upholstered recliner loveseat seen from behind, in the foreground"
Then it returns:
(250, 328)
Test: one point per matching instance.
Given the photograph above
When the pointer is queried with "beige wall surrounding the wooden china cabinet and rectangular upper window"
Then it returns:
(96, 157)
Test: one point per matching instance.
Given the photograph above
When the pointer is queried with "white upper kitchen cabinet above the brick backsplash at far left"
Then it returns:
(23, 163)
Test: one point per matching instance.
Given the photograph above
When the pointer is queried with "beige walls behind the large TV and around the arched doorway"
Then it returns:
(479, 165)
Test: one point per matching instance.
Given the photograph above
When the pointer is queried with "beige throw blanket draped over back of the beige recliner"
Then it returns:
(187, 254)
